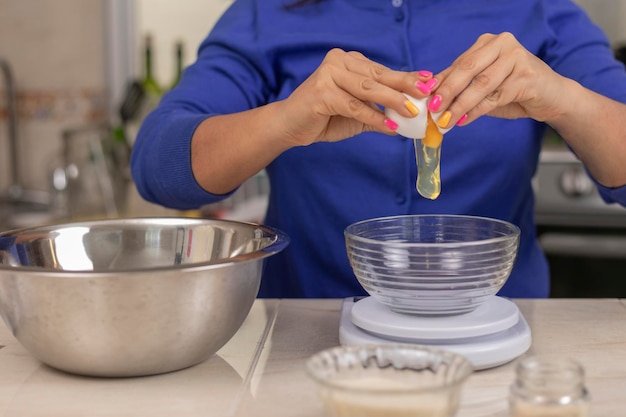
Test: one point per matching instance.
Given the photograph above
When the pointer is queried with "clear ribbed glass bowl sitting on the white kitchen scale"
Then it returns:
(432, 264)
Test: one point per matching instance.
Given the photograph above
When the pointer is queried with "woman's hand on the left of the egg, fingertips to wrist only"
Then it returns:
(340, 98)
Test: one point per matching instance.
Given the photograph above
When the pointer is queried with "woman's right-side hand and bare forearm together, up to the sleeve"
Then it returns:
(497, 76)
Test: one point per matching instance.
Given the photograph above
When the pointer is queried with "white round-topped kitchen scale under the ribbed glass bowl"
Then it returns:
(493, 334)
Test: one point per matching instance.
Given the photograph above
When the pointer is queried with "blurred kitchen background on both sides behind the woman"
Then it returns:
(75, 83)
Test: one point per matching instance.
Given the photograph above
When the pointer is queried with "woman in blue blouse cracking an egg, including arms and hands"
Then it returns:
(299, 91)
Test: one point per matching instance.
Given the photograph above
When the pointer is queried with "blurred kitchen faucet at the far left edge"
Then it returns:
(16, 193)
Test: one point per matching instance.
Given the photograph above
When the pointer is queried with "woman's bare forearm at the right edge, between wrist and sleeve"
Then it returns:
(595, 127)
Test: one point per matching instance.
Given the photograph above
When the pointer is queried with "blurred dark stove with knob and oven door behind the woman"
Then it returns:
(583, 237)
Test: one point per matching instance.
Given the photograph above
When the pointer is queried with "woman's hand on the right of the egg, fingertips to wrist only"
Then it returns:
(497, 76)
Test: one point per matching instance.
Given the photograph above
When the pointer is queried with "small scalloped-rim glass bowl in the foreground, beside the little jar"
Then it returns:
(389, 380)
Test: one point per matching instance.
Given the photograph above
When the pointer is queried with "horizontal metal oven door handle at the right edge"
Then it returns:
(590, 246)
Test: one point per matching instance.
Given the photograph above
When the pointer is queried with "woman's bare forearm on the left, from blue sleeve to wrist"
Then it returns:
(228, 149)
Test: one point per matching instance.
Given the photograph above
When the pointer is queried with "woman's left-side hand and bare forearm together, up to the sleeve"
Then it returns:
(337, 101)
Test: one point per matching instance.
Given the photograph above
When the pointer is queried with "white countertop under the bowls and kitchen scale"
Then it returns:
(260, 372)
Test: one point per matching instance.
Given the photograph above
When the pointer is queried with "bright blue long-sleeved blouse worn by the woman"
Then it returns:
(260, 52)
